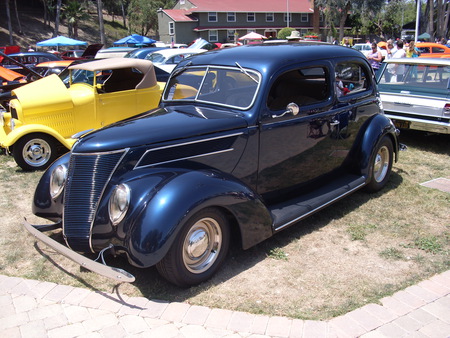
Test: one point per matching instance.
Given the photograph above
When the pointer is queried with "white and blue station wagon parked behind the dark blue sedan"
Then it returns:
(416, 93)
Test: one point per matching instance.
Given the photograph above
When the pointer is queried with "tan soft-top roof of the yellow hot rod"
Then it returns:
(144, 66)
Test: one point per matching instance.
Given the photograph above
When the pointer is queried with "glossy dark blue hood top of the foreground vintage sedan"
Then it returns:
(160, 125)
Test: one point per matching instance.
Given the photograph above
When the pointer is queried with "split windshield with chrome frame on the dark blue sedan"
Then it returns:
(224, 86)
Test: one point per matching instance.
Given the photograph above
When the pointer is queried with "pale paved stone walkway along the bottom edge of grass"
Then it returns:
(30, 308)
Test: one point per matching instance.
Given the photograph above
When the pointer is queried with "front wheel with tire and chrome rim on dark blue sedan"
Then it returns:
(198, 250)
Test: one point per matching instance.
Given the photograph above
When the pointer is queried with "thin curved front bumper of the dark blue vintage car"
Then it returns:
(117, 274)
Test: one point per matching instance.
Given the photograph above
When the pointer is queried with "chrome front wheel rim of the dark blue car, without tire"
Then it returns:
(202, 245)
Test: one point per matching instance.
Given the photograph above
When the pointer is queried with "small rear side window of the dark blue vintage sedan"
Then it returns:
(351, 78)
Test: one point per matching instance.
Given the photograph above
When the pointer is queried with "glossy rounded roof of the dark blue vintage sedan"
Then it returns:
(267, 57)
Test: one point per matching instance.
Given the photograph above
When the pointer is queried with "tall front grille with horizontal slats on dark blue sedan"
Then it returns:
(87, 178)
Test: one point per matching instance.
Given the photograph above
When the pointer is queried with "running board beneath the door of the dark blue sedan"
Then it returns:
(287, 213)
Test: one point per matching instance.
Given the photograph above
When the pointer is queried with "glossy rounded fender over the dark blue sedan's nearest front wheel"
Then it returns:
(180, 195)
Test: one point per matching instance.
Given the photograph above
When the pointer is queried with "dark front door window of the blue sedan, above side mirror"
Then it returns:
(302, 86)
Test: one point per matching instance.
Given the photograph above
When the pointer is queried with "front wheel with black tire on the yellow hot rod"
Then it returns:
(35, 151)
